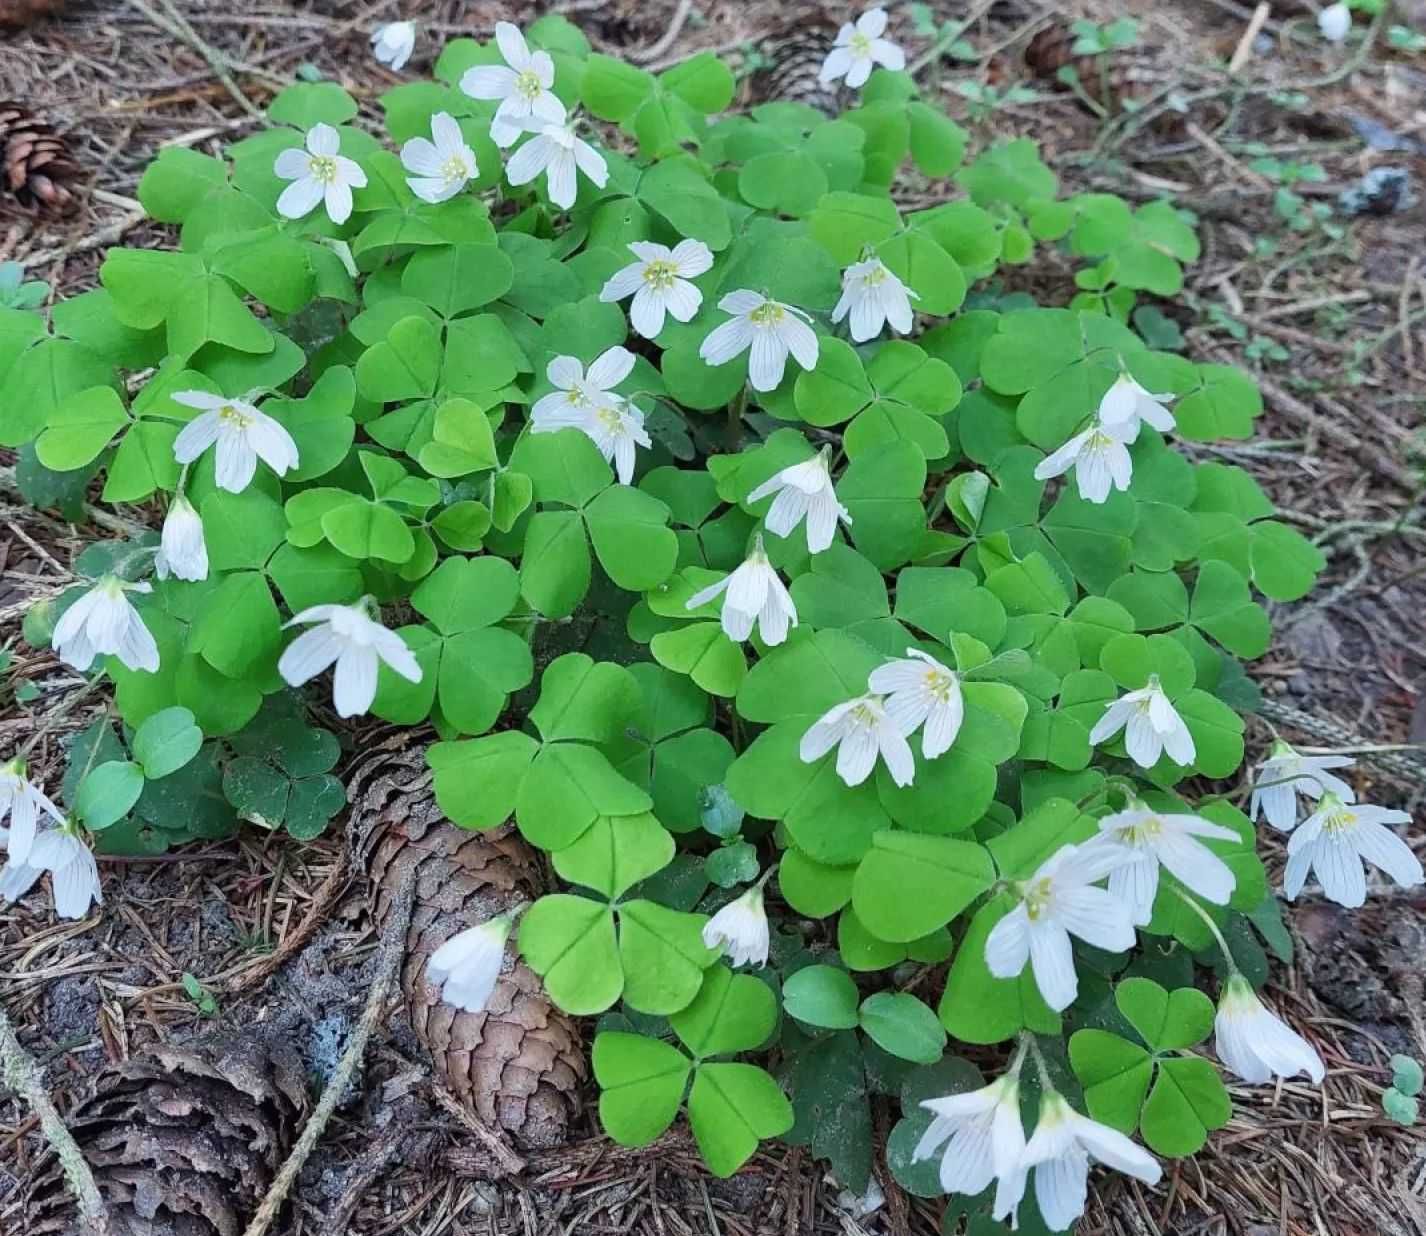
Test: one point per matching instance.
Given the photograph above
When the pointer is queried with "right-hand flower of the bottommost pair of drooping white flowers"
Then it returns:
(1060, 1153)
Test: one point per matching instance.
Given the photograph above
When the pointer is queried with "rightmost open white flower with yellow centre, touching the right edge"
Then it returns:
(1335, 839)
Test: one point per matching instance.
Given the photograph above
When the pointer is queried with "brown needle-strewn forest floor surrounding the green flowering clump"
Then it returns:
(1330, 316)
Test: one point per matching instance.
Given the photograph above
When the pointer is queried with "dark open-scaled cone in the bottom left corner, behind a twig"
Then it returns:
(183, 1141)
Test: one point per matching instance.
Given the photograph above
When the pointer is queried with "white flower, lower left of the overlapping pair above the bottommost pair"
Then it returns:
(1062, 900)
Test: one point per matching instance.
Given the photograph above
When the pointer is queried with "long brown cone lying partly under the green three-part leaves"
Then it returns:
(518, 1064)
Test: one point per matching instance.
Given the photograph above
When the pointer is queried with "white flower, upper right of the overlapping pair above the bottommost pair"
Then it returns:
(1170, 842)
